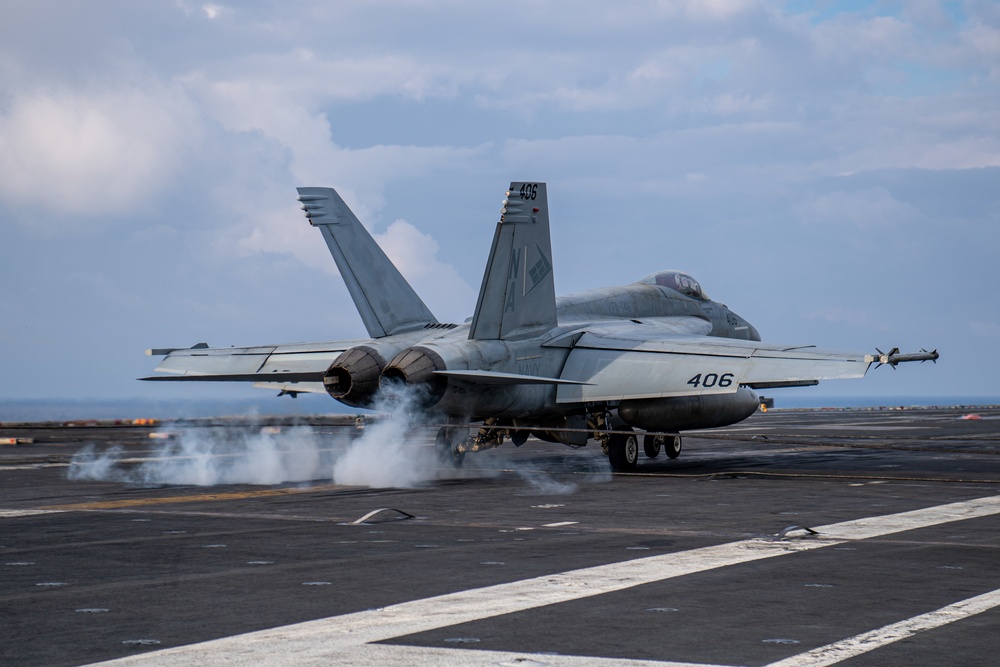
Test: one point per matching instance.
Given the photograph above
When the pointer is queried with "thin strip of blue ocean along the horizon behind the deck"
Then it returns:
(315, 404)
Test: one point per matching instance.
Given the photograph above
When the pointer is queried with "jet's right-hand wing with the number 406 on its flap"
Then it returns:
(631, 360)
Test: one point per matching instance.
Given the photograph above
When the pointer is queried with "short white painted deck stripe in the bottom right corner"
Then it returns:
(869, 641)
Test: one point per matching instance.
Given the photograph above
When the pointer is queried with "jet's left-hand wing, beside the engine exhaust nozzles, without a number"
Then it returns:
(304, 362)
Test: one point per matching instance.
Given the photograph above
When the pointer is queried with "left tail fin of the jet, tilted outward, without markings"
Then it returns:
(386, 302)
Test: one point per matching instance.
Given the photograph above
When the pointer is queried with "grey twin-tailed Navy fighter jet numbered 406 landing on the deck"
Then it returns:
(657, 355)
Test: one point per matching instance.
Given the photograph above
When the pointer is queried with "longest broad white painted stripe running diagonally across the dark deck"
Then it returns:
(321, 641)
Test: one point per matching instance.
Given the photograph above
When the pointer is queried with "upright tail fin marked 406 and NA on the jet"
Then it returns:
(518, 298)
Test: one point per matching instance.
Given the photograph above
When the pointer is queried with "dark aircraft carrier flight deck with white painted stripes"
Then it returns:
(797, 537)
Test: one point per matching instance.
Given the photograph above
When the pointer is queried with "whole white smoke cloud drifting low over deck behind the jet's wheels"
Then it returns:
(393, 451)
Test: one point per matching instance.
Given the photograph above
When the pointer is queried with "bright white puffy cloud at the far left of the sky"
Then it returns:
(92, 153)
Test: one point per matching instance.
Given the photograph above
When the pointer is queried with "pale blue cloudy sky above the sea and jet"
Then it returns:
(829, 170)
